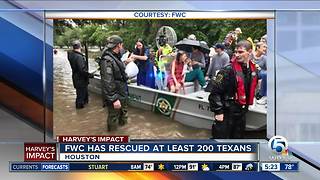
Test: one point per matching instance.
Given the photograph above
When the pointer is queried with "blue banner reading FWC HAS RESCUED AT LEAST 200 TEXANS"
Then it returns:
(160, 148)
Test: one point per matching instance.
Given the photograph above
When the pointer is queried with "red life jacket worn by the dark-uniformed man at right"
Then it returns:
(241, 93)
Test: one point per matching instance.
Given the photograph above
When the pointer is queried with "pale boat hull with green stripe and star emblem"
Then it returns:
(191, 109)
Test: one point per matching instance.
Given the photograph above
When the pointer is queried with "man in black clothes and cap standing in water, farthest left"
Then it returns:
(80, 75)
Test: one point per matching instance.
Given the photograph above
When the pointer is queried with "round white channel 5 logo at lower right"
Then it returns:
(279, 145)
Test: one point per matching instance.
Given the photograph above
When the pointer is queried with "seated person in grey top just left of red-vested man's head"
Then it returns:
(218, 61)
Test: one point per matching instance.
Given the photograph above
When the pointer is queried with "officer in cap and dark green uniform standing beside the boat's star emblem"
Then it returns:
(114, 83)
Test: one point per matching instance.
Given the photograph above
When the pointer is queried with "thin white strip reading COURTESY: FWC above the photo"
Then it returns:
(158, 15)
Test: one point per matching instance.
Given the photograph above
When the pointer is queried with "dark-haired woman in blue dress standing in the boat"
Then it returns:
(141, 57)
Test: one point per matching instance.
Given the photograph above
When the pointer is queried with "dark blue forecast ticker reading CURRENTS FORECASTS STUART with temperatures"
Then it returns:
(132, 166)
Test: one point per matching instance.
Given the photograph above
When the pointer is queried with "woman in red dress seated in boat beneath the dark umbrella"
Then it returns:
(178, 70)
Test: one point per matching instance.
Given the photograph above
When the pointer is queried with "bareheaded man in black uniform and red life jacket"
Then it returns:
(232, 92)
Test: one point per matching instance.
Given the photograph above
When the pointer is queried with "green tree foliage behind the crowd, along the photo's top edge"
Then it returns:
(95, 32)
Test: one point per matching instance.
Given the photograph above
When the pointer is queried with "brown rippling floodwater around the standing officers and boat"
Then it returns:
(92, 120)
